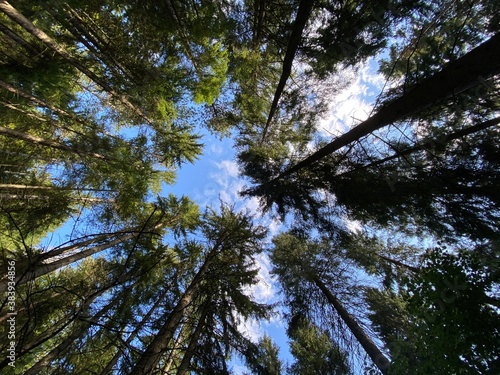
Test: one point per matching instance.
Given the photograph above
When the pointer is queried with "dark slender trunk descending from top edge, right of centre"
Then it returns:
(305, 7)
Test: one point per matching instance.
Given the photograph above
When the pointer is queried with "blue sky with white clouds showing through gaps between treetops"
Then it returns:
(215, 177)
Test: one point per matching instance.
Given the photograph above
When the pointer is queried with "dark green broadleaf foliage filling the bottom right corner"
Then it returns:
(453, 310)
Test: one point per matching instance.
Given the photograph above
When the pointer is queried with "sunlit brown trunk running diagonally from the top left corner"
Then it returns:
(10, 11)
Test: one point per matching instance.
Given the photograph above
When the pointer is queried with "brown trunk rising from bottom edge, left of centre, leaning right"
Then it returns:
(151, 356)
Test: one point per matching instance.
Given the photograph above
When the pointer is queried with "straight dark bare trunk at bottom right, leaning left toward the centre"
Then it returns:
(378, 358)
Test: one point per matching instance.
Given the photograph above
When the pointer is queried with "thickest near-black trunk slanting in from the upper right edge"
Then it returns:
(464, 73)
